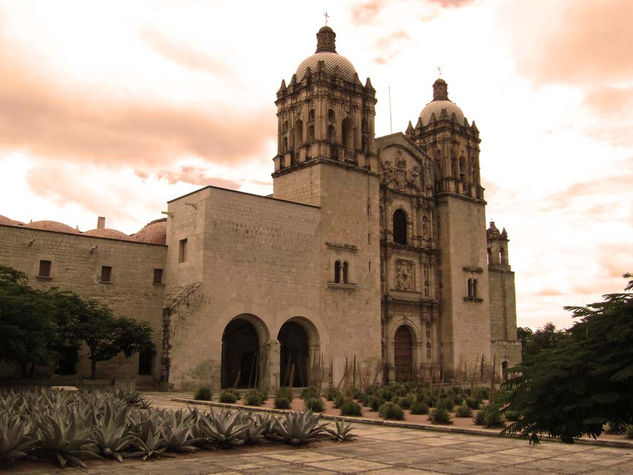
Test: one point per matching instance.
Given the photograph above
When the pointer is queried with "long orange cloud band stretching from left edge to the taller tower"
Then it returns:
(49, 119)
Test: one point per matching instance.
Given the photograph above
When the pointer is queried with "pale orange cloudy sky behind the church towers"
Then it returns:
(111, 108)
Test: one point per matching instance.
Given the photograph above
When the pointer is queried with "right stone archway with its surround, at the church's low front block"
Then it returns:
(299, 346)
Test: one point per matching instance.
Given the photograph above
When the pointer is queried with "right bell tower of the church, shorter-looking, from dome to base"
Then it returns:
(445, 135)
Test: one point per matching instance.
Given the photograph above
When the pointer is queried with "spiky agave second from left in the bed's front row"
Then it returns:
(63, 439)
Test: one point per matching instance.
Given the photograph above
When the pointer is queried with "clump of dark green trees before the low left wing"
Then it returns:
(35, 325)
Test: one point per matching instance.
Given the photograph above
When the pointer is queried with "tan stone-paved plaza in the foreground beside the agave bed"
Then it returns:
(380, 449)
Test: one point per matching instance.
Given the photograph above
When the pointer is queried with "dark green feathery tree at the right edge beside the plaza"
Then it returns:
(584, 380)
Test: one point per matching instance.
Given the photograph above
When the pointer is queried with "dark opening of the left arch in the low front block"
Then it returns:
(240, 355)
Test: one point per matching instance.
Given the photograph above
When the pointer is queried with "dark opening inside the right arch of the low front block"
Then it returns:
(294, 355)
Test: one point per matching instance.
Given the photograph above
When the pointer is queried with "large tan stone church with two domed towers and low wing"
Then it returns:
(371, 256)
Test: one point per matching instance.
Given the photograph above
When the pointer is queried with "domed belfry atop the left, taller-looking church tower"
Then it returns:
(324, 114)
